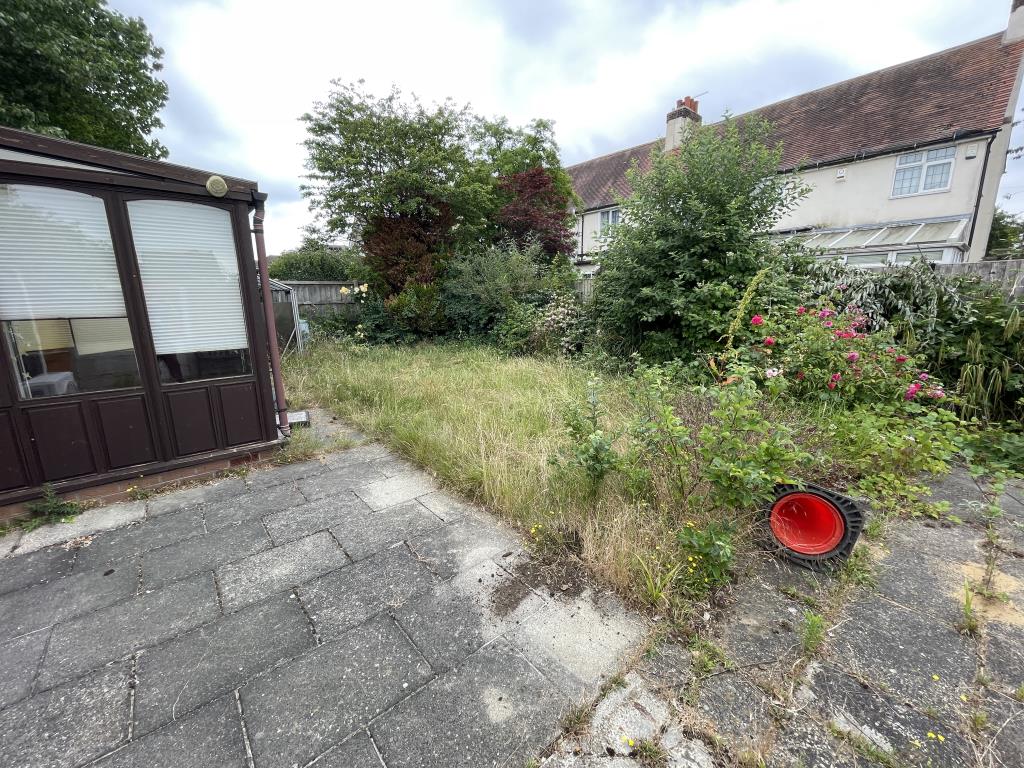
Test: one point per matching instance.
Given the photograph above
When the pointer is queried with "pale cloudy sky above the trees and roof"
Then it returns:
(242, 72)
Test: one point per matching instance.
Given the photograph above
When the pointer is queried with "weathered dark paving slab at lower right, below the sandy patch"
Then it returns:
(916, 658)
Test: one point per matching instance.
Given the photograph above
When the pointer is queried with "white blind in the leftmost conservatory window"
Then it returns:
(57, 254)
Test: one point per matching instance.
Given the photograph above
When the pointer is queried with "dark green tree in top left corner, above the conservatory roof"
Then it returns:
(76, 70)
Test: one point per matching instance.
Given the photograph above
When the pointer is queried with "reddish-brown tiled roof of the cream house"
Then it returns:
(959, 92)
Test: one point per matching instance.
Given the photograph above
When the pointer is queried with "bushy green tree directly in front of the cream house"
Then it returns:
(693, 236)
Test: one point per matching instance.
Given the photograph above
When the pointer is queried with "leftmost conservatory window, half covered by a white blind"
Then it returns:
(61, 304)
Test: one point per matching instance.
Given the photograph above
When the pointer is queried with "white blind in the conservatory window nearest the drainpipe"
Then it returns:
(190, 273)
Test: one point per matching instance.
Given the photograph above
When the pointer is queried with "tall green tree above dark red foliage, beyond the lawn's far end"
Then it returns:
(415, 184)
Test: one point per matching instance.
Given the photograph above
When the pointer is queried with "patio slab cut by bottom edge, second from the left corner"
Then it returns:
(208, 739)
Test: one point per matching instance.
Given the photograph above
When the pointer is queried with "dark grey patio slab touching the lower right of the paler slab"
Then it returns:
(347, 599)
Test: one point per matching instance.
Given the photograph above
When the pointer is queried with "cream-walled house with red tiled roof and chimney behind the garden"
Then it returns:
(902, 162)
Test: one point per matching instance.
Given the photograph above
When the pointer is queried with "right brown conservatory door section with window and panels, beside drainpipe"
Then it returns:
(189, 265)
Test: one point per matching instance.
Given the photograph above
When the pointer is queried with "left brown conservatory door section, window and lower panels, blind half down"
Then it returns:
(72, 397)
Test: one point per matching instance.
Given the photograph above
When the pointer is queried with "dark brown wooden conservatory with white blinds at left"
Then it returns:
(134, 338)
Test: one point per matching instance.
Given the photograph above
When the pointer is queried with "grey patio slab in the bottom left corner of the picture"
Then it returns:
(67, 727)
